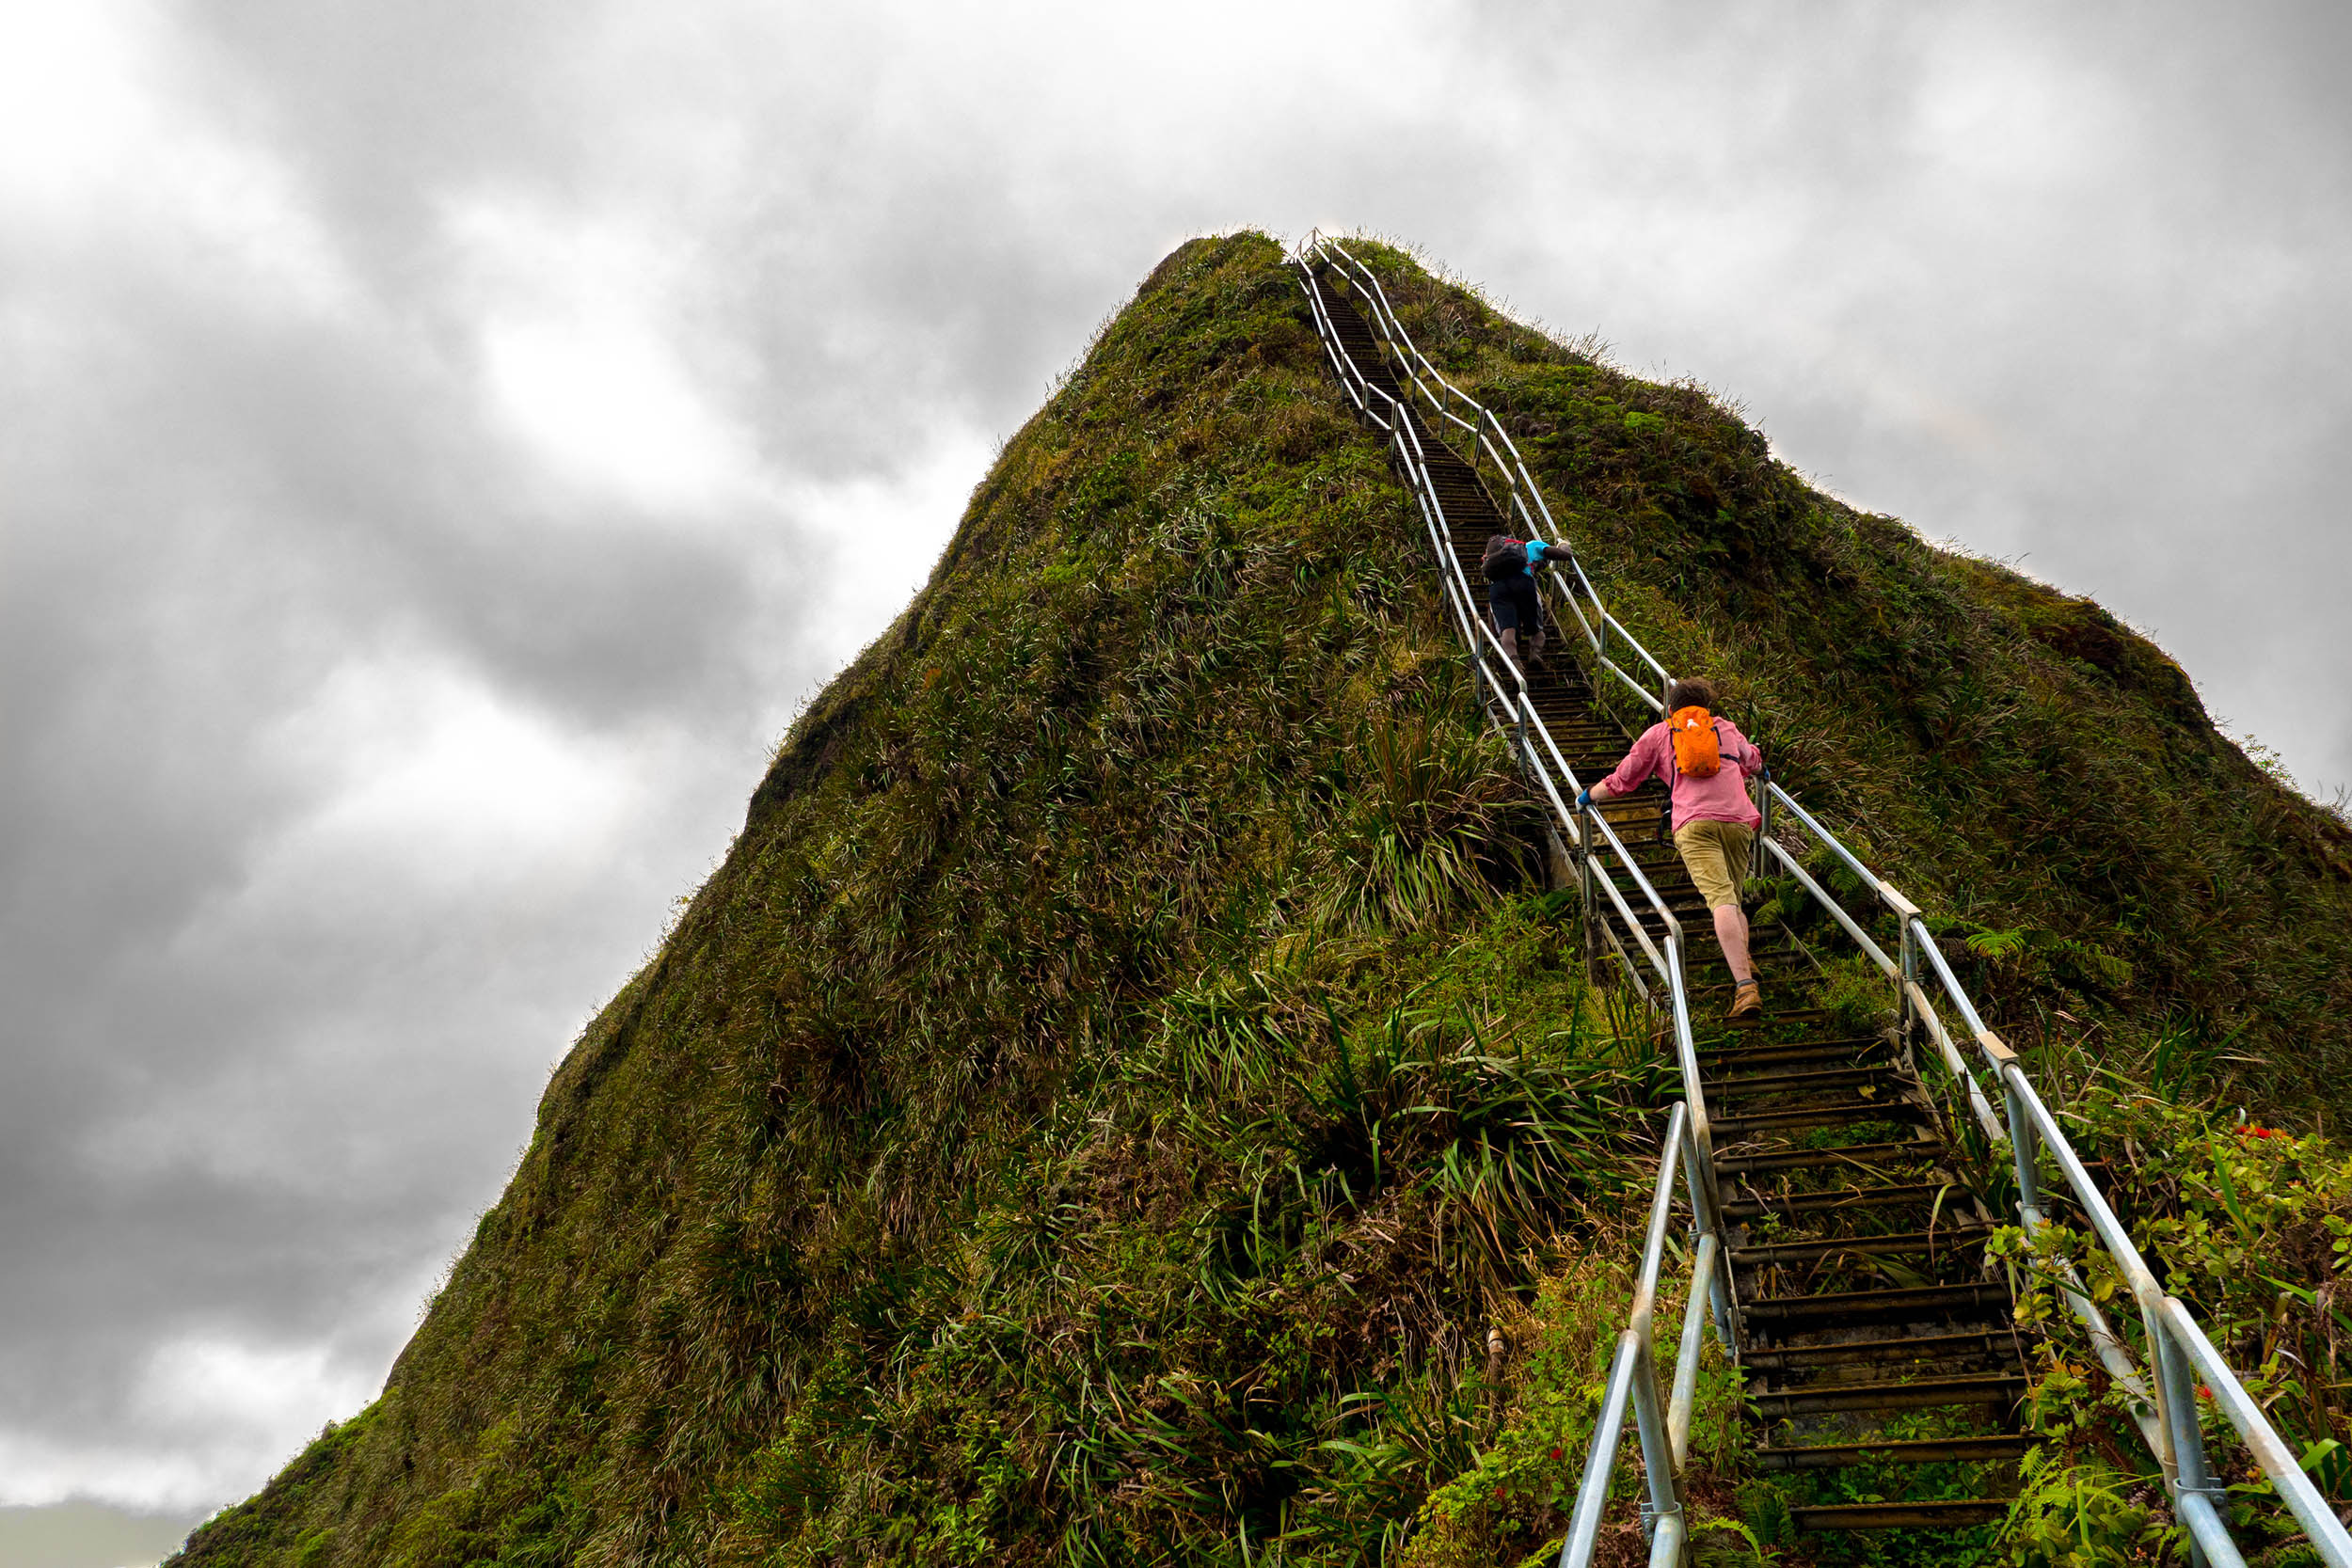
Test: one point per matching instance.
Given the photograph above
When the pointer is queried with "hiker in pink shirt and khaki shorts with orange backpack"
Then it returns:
(1716, 824)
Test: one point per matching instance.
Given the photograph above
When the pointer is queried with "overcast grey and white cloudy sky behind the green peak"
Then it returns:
(443, 443)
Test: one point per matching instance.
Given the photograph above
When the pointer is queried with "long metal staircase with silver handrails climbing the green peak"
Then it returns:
(1836, 1226)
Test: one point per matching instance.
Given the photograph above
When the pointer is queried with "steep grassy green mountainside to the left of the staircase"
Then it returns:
(1085, 1092)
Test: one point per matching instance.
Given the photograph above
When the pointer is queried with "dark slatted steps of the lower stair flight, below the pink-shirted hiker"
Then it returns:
(1876, 1336)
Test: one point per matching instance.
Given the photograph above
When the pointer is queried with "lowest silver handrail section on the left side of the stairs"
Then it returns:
(1633, 1374)
